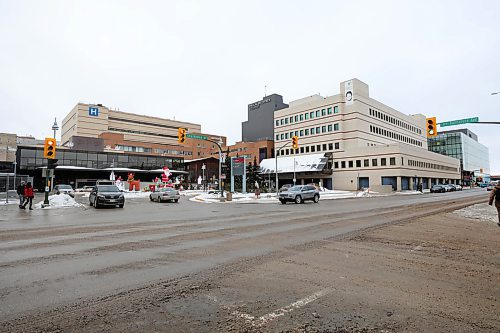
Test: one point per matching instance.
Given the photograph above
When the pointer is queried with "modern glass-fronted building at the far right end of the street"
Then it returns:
(463, 145)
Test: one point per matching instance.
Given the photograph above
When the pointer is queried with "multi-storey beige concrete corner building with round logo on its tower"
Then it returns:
(368, 144)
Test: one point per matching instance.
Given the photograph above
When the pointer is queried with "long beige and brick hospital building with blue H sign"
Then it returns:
(94, 125)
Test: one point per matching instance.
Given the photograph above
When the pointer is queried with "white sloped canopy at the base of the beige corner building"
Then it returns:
(302, 163)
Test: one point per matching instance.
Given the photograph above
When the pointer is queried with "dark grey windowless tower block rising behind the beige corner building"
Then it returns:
(259, 126)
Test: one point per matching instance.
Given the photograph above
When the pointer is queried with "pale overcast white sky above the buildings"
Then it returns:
(204, 61)
